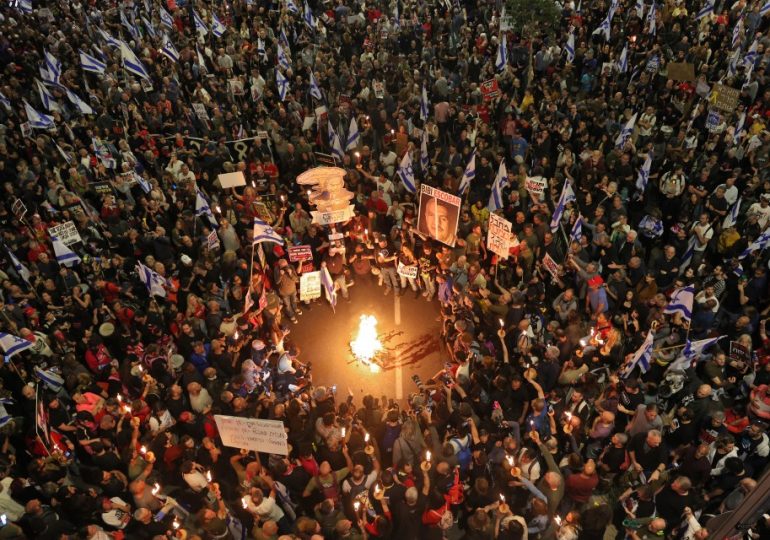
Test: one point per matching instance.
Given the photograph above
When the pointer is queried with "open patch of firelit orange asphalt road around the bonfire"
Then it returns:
(407, 328)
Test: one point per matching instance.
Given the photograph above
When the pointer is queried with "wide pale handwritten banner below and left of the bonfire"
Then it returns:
(268, 436)
